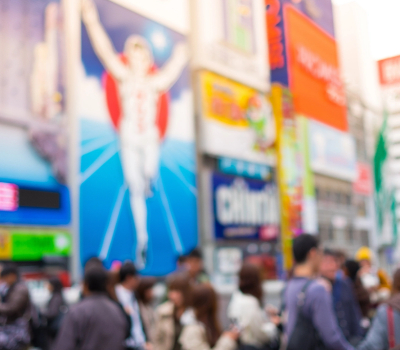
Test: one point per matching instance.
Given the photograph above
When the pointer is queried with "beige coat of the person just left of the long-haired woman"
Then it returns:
(164, 332)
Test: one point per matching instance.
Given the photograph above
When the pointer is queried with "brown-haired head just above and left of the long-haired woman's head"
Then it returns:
(180, 291)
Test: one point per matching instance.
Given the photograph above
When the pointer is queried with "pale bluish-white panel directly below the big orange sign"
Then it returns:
(332, 152)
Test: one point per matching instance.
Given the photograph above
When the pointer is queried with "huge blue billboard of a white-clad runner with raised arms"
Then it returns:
(138, 162)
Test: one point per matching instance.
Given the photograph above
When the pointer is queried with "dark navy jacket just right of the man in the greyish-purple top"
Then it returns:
(347, 309)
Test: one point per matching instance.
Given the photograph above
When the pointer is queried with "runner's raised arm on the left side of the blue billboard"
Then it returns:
(101, 43)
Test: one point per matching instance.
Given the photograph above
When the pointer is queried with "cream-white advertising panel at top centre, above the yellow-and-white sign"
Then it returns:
(231, 40)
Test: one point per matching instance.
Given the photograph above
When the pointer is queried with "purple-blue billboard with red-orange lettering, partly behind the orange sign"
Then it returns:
(319, 12)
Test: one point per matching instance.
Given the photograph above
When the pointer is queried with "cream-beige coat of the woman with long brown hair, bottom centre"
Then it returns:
(194, 337)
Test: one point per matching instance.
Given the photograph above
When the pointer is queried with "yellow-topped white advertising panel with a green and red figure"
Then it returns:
(237, 121)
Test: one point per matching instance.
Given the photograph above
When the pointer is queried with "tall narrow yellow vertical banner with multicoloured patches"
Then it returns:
(289, 173)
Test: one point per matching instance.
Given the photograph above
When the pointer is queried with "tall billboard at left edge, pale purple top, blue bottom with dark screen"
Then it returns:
(33, 133)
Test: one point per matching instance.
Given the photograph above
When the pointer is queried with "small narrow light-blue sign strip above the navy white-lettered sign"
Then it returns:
(243, 168)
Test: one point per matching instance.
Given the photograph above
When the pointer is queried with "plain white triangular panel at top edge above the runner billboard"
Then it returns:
(171, 13)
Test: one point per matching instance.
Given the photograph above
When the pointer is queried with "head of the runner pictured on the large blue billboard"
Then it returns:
(139, 55)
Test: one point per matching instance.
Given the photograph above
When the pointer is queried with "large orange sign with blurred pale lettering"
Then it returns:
(314, 74)
